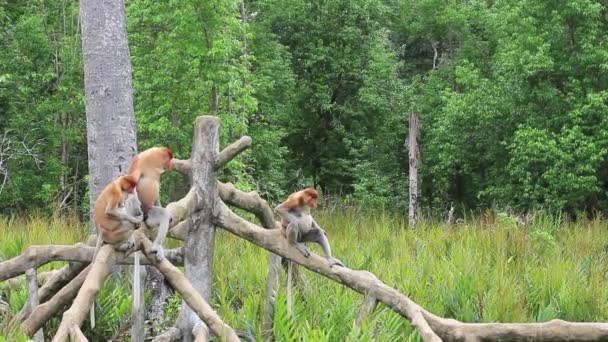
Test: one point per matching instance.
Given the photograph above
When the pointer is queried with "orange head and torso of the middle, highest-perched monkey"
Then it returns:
(147, 167)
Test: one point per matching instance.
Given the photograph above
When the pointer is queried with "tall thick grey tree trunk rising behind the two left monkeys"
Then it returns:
(111, 136)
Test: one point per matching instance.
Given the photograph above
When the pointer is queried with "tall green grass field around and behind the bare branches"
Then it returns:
(495, 272)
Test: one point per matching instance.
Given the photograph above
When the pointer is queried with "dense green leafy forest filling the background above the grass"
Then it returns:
(512, 95)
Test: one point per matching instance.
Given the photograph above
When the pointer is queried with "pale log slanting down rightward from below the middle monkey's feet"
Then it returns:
(190, 295)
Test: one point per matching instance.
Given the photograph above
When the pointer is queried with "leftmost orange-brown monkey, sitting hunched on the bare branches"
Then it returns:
(115, 222)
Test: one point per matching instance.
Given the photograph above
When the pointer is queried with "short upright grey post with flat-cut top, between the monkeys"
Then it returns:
(198, 247)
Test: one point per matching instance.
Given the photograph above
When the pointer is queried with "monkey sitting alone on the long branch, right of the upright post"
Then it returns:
(299, 226)
